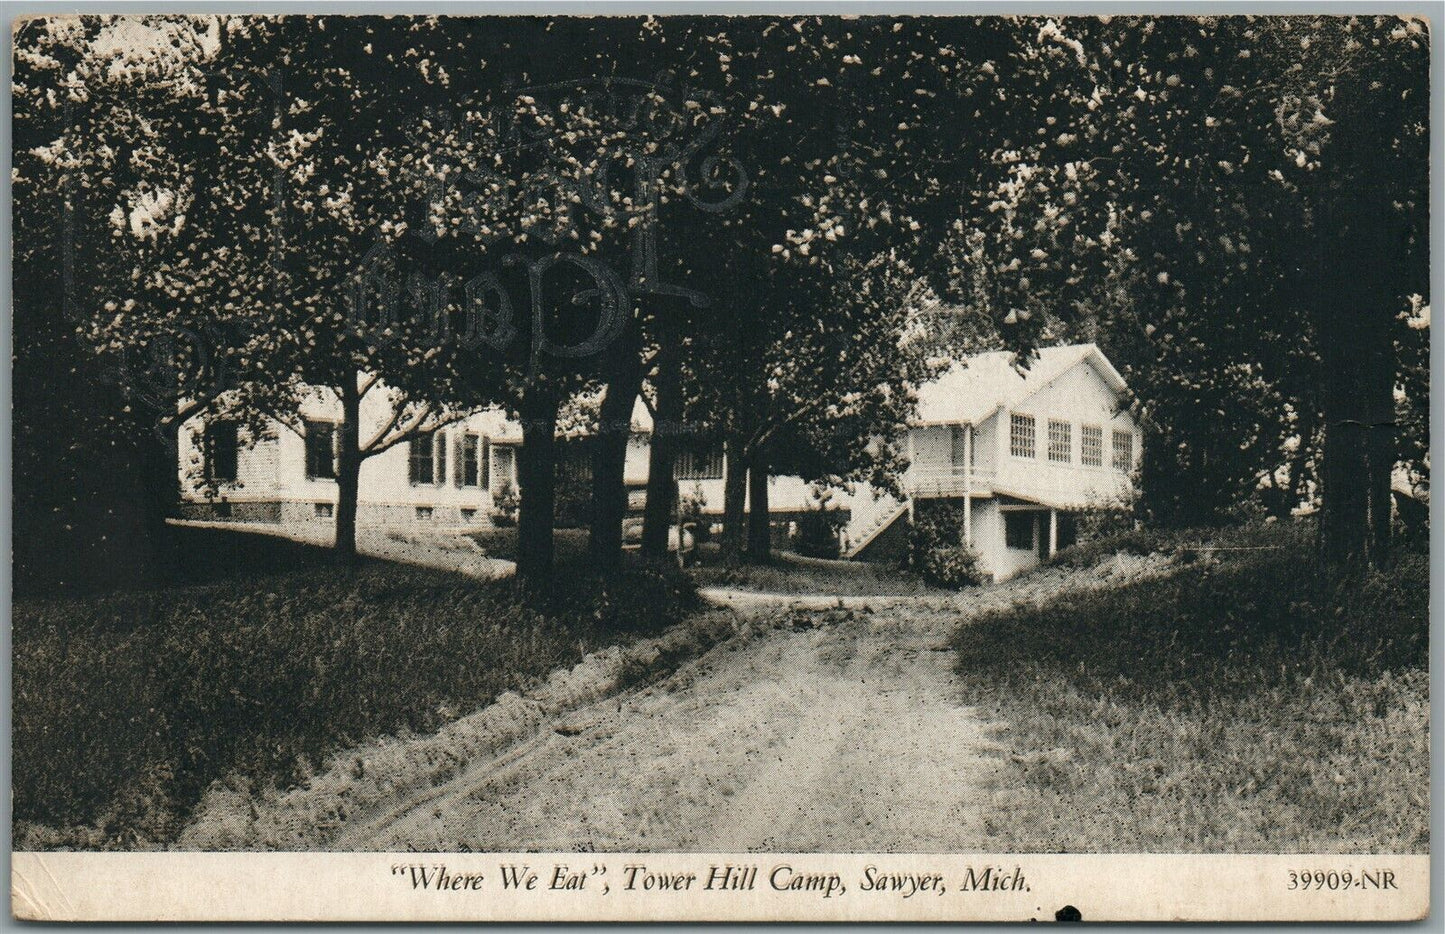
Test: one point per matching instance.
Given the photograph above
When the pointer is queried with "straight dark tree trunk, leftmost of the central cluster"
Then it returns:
(538, 482)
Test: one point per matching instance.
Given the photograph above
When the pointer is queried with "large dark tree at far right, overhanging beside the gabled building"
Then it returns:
(1259, 187)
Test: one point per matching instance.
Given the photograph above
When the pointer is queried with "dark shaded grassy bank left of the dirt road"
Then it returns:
(128, 706)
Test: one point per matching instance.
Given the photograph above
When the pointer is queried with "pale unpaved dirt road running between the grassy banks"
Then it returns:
(845, 737)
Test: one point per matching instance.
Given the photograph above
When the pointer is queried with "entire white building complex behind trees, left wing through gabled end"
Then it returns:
(1022, 452)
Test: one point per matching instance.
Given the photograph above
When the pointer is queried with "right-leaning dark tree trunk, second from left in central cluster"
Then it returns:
(611, 458)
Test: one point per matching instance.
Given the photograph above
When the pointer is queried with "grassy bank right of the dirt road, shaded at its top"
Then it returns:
(1246, 703)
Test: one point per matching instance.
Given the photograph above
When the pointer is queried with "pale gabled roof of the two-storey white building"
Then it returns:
(973, 390)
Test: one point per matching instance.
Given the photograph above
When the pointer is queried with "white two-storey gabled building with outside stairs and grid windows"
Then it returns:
(1022, 452)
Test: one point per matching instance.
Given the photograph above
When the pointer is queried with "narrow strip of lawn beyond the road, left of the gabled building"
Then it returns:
(795, 575)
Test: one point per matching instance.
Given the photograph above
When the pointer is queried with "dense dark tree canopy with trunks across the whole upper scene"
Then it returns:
(768, 228)
